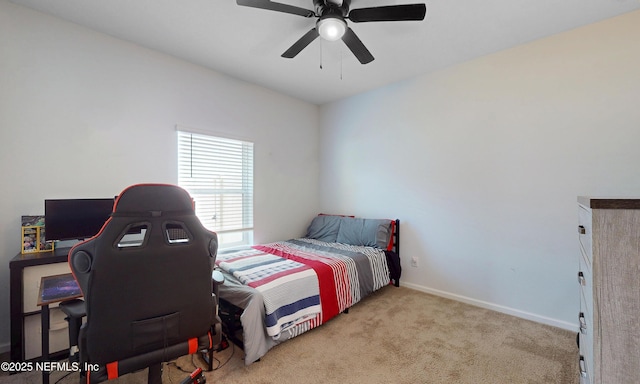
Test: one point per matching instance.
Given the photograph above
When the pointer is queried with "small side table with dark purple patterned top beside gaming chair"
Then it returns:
(54, 289)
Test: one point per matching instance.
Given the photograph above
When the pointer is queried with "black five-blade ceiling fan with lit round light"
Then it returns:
(332, 25)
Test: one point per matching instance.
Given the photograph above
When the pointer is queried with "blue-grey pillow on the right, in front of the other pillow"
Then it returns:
(367, 232)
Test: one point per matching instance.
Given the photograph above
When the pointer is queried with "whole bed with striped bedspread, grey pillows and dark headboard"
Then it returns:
(276, 291)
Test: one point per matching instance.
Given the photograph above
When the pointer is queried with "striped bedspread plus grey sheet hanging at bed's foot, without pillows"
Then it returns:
(289, 287)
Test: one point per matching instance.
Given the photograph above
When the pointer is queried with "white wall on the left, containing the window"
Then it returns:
(85, 115)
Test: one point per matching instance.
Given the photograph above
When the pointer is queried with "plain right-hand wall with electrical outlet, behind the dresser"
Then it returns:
(482, 162)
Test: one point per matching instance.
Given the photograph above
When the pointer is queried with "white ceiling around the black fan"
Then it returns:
(246, 43)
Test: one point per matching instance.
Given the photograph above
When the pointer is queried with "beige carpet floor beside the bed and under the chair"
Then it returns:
(396, 335)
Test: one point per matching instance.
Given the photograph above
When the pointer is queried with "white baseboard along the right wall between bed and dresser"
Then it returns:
(495, 307)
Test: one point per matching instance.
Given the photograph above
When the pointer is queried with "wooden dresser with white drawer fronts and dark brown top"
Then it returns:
(609, 277)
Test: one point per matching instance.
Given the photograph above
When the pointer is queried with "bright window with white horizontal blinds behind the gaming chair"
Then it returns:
(218, 173)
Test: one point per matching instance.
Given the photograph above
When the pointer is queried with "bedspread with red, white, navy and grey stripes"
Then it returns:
(306, 282)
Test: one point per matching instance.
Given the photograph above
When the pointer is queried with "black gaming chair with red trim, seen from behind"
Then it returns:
(147, 285)
